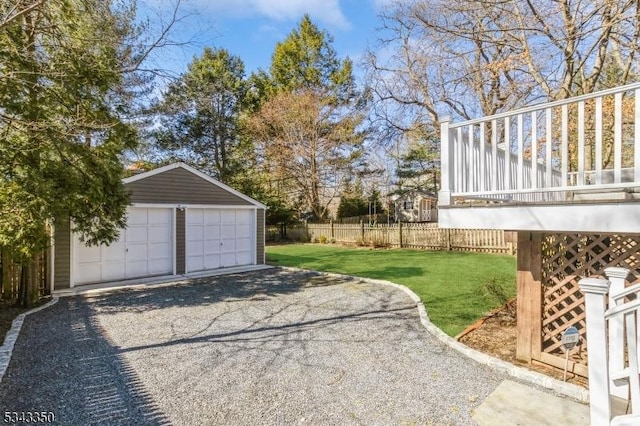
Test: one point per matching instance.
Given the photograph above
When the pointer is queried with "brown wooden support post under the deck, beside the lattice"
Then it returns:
(529, 284)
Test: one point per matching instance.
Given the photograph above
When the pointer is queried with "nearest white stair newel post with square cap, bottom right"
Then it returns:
(595, 293)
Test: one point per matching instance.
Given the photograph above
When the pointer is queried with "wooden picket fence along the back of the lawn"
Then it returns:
(402, 235)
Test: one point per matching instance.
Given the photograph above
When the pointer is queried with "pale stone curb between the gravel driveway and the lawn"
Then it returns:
(574, 392)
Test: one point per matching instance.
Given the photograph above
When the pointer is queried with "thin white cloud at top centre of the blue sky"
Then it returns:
(327, 12)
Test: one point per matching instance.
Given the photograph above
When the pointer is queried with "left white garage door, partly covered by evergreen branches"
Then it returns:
(145, 248)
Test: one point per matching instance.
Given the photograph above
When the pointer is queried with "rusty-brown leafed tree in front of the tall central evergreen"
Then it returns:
(307, 144)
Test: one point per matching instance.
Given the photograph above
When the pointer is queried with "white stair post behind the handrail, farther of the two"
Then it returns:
(617, 277)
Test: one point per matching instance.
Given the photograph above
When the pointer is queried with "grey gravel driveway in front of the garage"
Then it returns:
(267, 347)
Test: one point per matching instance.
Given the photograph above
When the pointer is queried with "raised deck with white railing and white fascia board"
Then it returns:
(569, 165)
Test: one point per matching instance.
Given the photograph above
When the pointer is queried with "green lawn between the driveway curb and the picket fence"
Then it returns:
(452, 285)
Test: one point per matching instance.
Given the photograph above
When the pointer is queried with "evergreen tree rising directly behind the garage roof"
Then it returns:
(200, 115)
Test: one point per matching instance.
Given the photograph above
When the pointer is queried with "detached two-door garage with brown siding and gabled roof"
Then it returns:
(180, 221)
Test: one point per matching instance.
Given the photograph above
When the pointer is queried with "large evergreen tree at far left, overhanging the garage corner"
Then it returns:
(67, 71)
